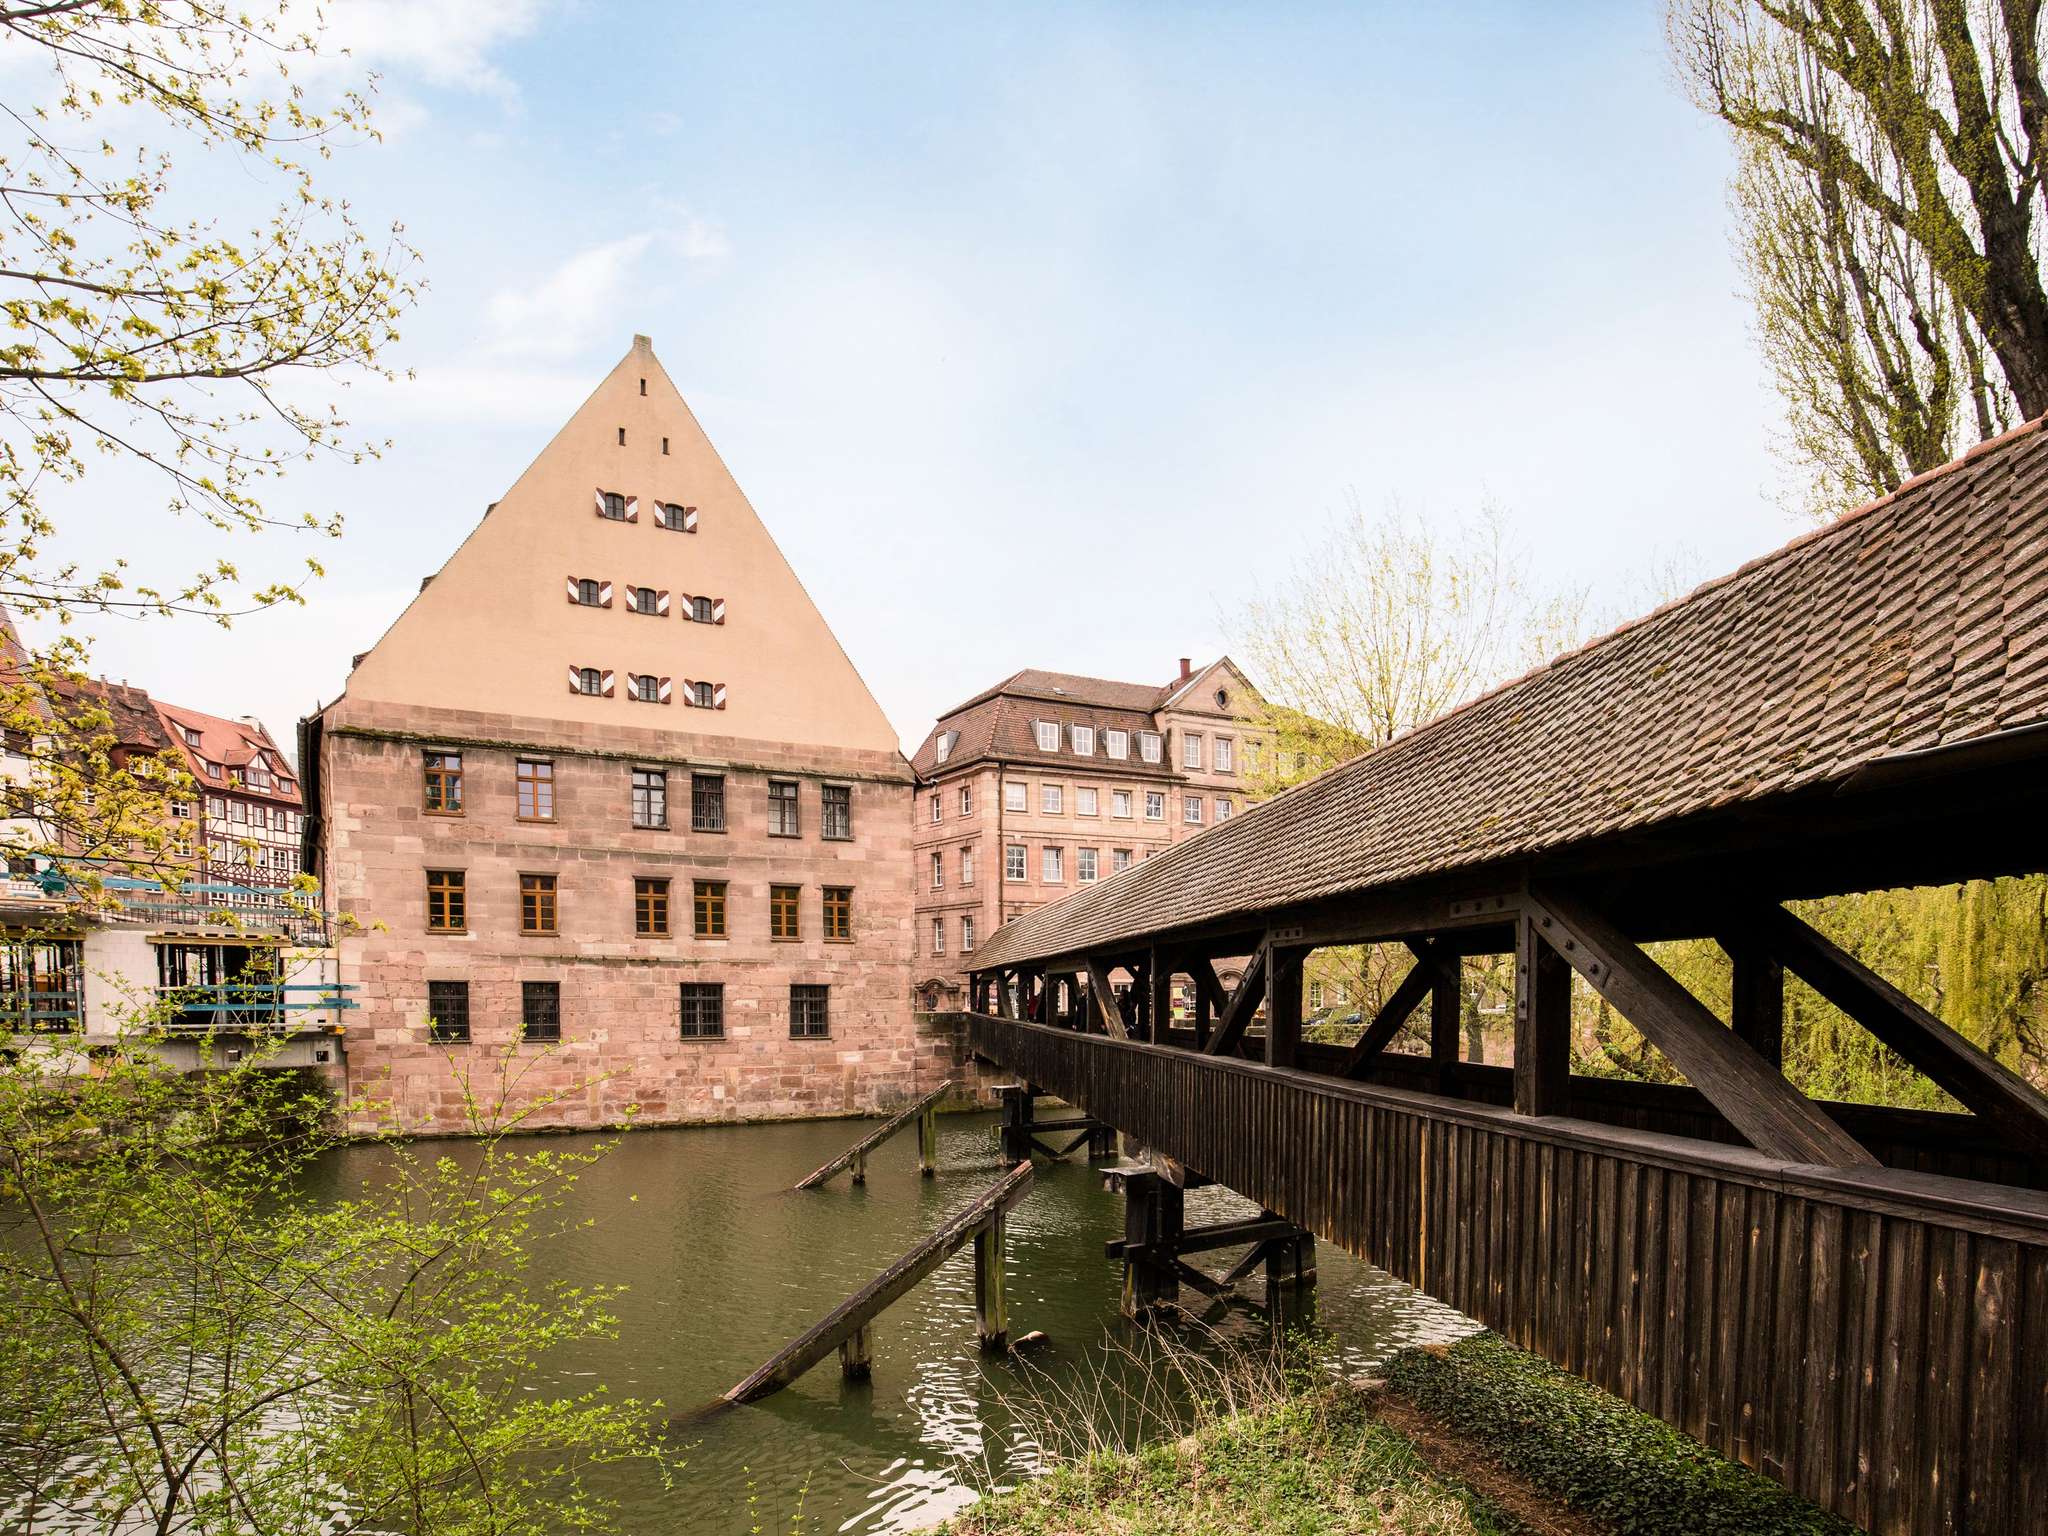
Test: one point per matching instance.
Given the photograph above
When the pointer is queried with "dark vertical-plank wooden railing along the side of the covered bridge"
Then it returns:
(1875, 1340)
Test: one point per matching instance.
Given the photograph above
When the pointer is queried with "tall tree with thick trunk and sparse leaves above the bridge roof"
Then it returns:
(1889, 218)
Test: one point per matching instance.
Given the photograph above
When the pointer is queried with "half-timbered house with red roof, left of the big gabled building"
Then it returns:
(249, 812)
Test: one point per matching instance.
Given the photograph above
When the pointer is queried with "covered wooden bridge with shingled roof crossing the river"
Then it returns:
(1850, 1299)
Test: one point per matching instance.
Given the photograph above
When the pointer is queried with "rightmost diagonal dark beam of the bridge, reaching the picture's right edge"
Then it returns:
(1959, 1066)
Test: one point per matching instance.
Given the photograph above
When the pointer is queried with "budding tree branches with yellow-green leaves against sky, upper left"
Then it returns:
(136, 329)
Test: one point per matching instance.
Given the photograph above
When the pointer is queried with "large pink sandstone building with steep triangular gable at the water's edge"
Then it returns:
(611, 802)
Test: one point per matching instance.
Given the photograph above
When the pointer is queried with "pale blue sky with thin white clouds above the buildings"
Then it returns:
(1039, 335)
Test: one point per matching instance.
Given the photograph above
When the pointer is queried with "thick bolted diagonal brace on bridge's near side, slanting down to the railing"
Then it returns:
(1748, 1091)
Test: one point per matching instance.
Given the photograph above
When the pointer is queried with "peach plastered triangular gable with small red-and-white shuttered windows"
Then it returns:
(497, 634)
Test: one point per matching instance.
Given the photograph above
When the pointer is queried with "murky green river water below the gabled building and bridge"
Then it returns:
(726, 1265)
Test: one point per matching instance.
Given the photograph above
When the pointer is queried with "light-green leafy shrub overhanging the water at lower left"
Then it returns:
(191, 1340)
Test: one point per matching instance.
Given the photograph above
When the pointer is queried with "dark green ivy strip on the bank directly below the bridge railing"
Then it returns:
(1592, 1451)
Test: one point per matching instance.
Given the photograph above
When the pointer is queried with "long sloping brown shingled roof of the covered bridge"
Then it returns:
(1914, 624)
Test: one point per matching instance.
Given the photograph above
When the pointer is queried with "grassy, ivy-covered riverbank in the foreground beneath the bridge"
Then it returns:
(1474, 1441)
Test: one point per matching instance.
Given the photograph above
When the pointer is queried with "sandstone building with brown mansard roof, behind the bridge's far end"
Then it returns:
(1050, 781)
